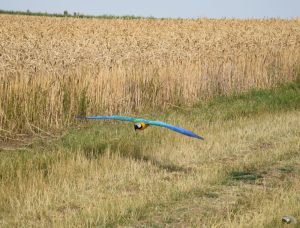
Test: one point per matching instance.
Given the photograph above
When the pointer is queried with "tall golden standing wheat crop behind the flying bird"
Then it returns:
(52, 69)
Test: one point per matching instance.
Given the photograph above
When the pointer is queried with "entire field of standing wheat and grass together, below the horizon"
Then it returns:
(234, 82)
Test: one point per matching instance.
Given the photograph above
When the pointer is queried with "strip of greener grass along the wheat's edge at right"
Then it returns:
(283, 98)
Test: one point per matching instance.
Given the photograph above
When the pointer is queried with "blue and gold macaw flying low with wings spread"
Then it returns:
(141, 124)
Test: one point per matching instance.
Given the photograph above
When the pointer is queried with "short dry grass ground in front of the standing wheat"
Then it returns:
(245, 174)
